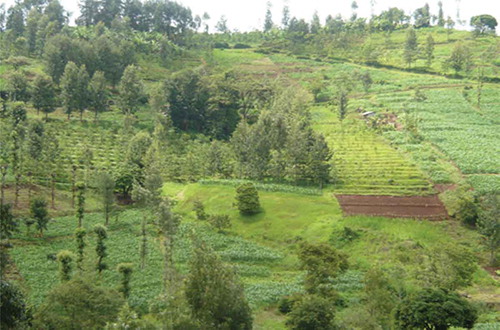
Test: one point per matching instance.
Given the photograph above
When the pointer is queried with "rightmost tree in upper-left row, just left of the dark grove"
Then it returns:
(131, 91)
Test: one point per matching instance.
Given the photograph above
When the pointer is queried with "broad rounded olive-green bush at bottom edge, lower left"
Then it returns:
(78, 301)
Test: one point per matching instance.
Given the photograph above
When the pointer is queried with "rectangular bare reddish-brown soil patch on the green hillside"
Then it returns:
(416, 207)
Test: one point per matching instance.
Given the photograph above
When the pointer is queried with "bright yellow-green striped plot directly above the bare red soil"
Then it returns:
(365, 163)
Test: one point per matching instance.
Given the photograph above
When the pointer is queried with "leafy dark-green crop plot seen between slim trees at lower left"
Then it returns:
(260, 267)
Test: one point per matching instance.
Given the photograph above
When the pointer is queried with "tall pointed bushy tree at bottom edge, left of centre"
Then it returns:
(214, 292)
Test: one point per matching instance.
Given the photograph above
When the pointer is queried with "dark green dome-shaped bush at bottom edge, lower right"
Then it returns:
(437, 309)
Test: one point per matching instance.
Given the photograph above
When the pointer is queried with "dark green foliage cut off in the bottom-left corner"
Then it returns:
(13, 308)
